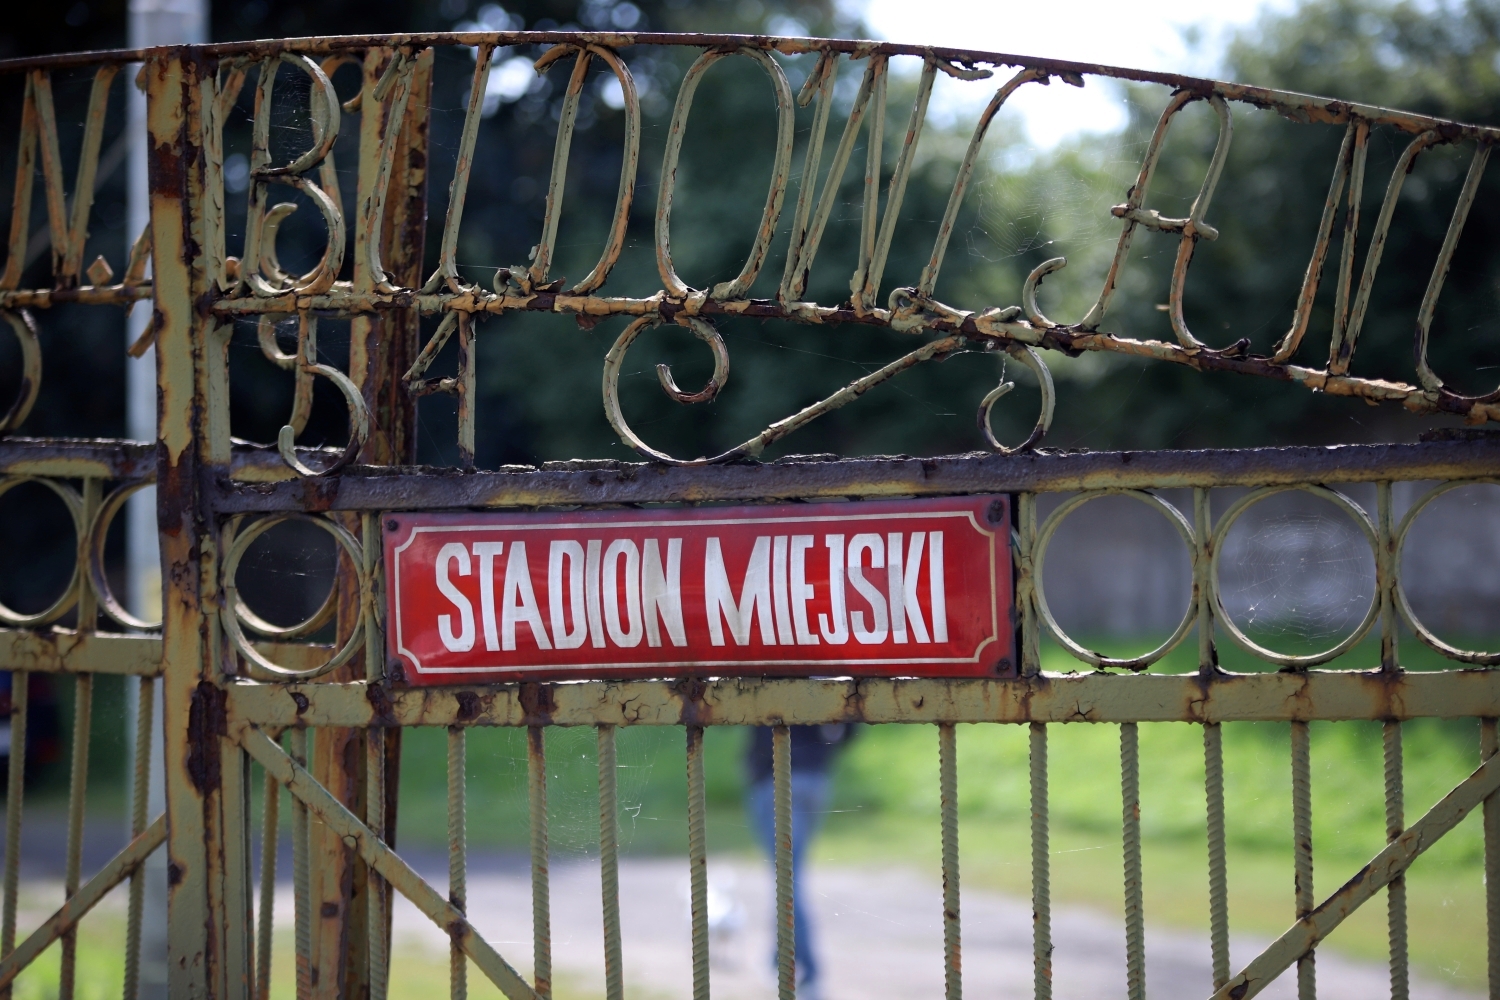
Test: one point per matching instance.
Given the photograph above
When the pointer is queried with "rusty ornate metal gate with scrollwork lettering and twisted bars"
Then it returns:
(325, 723)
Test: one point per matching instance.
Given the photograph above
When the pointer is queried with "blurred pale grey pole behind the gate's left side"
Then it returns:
(152, 23)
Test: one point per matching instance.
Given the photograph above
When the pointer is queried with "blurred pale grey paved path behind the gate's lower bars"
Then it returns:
(880, 935)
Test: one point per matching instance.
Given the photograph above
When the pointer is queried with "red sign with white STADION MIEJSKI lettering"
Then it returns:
(883, 588)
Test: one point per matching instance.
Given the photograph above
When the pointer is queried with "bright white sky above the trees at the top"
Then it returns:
(1136, 34)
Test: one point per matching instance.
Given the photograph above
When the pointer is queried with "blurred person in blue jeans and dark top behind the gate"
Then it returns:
(814, 753)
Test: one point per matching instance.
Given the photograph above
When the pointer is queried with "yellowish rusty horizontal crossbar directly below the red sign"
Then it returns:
(1051, 698)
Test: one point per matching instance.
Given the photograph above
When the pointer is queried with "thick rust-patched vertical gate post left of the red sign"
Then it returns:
(194, 448)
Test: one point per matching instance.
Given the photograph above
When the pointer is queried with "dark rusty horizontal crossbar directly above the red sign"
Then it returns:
(809, 478)
